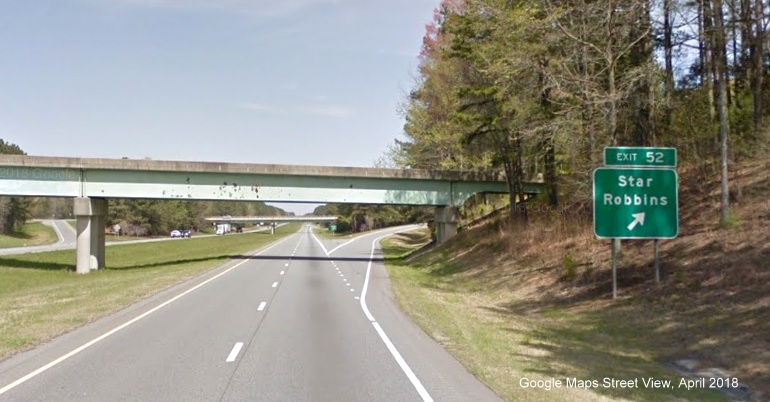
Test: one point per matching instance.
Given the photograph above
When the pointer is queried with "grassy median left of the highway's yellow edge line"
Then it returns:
(41, 296)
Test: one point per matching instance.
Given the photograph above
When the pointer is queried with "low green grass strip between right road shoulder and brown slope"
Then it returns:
(503, 337)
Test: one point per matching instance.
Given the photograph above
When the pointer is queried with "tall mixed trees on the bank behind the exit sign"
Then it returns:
(537, 88)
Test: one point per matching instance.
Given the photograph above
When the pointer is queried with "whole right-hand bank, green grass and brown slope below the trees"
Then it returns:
(537, 303)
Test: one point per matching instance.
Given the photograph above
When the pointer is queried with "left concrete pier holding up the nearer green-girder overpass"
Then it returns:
(91, 214)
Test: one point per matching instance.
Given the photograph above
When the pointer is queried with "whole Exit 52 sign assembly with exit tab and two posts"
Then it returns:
(636, 196)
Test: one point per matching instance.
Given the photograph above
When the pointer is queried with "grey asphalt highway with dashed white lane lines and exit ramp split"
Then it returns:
(304, 319)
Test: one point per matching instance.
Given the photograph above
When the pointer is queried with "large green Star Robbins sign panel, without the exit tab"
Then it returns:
(636, 203)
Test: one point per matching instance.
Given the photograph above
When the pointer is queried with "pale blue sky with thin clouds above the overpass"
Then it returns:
(308, 82)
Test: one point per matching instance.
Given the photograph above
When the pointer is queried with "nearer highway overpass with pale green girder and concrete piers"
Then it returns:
(92, 180)
